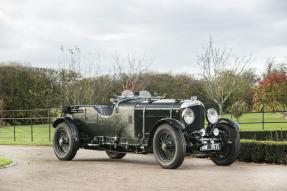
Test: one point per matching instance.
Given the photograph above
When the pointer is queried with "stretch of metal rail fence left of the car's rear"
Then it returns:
(28, 125)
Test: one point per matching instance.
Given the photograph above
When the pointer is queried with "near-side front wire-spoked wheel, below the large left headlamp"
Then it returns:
(169, 146)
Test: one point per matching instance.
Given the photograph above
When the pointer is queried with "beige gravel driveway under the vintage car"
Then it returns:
(38, 169)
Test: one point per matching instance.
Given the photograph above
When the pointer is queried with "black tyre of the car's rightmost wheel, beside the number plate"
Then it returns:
(230, 147)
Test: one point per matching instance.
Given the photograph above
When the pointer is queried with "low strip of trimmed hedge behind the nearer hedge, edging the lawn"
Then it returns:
(264, 135)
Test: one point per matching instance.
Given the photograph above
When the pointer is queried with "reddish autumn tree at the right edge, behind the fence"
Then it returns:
(271, 93)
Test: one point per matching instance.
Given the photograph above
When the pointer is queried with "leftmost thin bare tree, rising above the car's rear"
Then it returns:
(76, 73)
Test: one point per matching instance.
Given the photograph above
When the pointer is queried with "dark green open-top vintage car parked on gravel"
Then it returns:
(142, 124)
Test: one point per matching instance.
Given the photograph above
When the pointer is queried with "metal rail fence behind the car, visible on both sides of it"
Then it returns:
(36, 125)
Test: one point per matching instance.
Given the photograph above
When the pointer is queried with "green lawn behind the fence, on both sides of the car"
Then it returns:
(41, 132)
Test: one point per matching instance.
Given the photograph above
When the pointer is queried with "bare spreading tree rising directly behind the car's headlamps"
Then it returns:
(220, 71)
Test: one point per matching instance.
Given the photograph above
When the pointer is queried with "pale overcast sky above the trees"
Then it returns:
(171, 33)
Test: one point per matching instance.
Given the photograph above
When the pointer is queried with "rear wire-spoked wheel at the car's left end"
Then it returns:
(64, 144)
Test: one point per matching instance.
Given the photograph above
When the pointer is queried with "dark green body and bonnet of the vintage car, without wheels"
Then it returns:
(131, 121)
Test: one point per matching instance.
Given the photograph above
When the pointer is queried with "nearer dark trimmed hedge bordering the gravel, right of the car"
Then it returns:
(263, 151)
